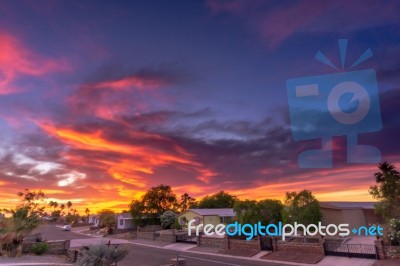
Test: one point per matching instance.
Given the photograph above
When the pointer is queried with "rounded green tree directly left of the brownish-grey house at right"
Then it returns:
(302, 208)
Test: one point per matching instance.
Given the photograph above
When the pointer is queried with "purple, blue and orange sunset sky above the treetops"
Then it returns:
(101, 100)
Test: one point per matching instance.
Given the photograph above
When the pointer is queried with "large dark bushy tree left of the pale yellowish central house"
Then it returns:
(153, 203)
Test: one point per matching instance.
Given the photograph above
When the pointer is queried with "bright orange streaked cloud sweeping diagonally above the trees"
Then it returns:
(135, 162)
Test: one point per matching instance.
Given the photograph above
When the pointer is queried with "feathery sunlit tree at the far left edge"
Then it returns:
(24, 219)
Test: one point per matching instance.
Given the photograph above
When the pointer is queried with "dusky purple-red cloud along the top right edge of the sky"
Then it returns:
(277, 21)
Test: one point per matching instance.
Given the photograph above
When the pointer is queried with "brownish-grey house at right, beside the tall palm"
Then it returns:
(355, 214)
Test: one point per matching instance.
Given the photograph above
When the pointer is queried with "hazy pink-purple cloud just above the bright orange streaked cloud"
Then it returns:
(109, 95)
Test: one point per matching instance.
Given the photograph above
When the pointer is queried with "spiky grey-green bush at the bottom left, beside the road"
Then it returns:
(101, 255)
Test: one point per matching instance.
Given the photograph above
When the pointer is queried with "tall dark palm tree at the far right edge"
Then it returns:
(387, 191)
